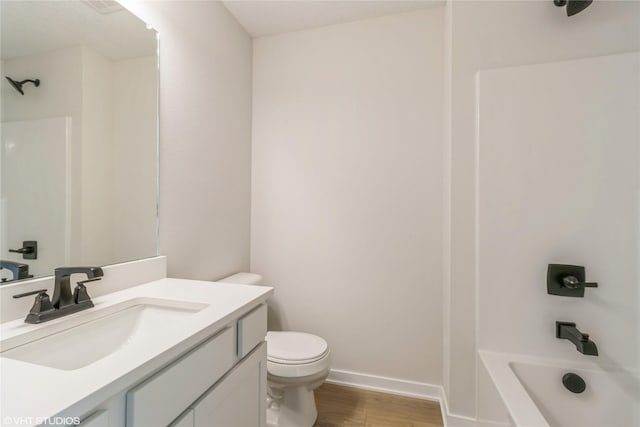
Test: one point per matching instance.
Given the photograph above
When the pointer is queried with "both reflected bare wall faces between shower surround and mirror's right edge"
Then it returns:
(119, 158)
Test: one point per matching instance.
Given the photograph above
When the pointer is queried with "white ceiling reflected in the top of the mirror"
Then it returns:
(34, 27)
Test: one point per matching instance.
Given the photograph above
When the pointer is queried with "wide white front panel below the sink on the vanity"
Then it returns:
(161, 398)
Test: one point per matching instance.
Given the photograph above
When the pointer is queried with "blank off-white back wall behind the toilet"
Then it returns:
(346, 189)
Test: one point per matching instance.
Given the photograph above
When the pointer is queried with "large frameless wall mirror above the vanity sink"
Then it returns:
(135, 211)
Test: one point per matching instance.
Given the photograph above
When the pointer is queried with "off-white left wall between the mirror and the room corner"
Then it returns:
(205, 136)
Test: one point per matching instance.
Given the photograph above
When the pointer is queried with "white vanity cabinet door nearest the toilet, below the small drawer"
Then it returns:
(239, 399)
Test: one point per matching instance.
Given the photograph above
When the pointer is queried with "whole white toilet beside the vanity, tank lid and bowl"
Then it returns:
(297, 364)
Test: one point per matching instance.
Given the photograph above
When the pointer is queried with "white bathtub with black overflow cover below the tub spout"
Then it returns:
(534, 395)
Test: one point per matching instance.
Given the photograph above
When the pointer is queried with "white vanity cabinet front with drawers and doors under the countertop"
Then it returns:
(221, 382)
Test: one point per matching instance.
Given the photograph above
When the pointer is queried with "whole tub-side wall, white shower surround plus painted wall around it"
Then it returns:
(488, 35)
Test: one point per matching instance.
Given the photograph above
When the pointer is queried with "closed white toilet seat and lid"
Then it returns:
(296, 354)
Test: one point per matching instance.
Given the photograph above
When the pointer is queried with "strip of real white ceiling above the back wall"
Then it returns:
(268, 17)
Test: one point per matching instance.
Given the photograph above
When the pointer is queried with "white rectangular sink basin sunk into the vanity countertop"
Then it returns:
(81, 344)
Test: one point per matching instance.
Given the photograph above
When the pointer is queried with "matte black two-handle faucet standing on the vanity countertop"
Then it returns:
(64, 301)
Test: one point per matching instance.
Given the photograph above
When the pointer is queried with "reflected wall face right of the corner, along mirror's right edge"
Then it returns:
(135, 113)
